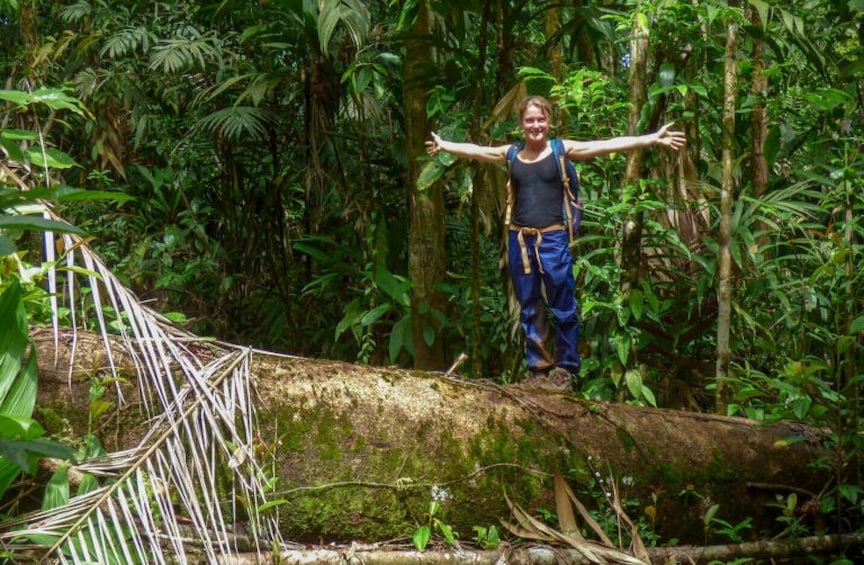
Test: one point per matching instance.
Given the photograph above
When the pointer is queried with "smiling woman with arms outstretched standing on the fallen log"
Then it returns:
(537, 234)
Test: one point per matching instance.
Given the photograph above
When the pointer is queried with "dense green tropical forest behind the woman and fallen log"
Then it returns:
(281, 197)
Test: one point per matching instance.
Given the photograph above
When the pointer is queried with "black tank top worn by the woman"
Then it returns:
(538, 193)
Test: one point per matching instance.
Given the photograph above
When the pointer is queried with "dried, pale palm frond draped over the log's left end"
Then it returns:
(192, 480)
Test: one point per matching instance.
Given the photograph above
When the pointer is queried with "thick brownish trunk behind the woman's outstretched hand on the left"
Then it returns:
(426, 264)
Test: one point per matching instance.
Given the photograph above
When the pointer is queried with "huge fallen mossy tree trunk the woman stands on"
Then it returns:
(359, 452)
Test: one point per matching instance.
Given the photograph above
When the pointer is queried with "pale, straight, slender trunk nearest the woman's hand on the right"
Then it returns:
(724, 283)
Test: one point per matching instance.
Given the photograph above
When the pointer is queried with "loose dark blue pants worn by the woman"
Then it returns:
(549, 268)
